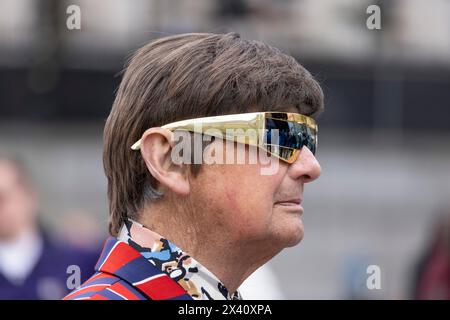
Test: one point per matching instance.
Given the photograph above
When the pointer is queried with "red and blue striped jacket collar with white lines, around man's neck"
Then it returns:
(123, 261)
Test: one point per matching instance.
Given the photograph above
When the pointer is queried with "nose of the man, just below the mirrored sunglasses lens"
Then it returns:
(306, 167)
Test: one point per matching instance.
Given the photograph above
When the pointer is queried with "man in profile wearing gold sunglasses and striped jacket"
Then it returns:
(184, 230)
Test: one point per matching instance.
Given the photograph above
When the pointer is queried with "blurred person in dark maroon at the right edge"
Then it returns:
(433, 272)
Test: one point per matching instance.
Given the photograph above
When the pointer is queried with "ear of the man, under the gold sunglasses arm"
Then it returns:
(156, 149)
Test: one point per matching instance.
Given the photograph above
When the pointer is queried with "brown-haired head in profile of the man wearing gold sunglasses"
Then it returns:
(199, 75)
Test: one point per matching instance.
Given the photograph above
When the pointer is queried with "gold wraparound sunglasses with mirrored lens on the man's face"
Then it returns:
(292, 131)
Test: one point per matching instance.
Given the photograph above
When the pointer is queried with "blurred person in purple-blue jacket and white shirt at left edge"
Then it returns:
(32, 265)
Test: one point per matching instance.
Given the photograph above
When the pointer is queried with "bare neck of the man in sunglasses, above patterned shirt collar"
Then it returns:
(209, 245)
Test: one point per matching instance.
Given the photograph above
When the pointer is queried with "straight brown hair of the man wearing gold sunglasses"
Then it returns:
(188, 76)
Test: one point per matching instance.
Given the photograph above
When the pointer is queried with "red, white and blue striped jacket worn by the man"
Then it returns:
(122, 273)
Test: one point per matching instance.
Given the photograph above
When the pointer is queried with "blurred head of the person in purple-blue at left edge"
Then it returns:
(17, 199)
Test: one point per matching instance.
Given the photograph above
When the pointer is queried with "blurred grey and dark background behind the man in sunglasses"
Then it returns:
(384, 195)
